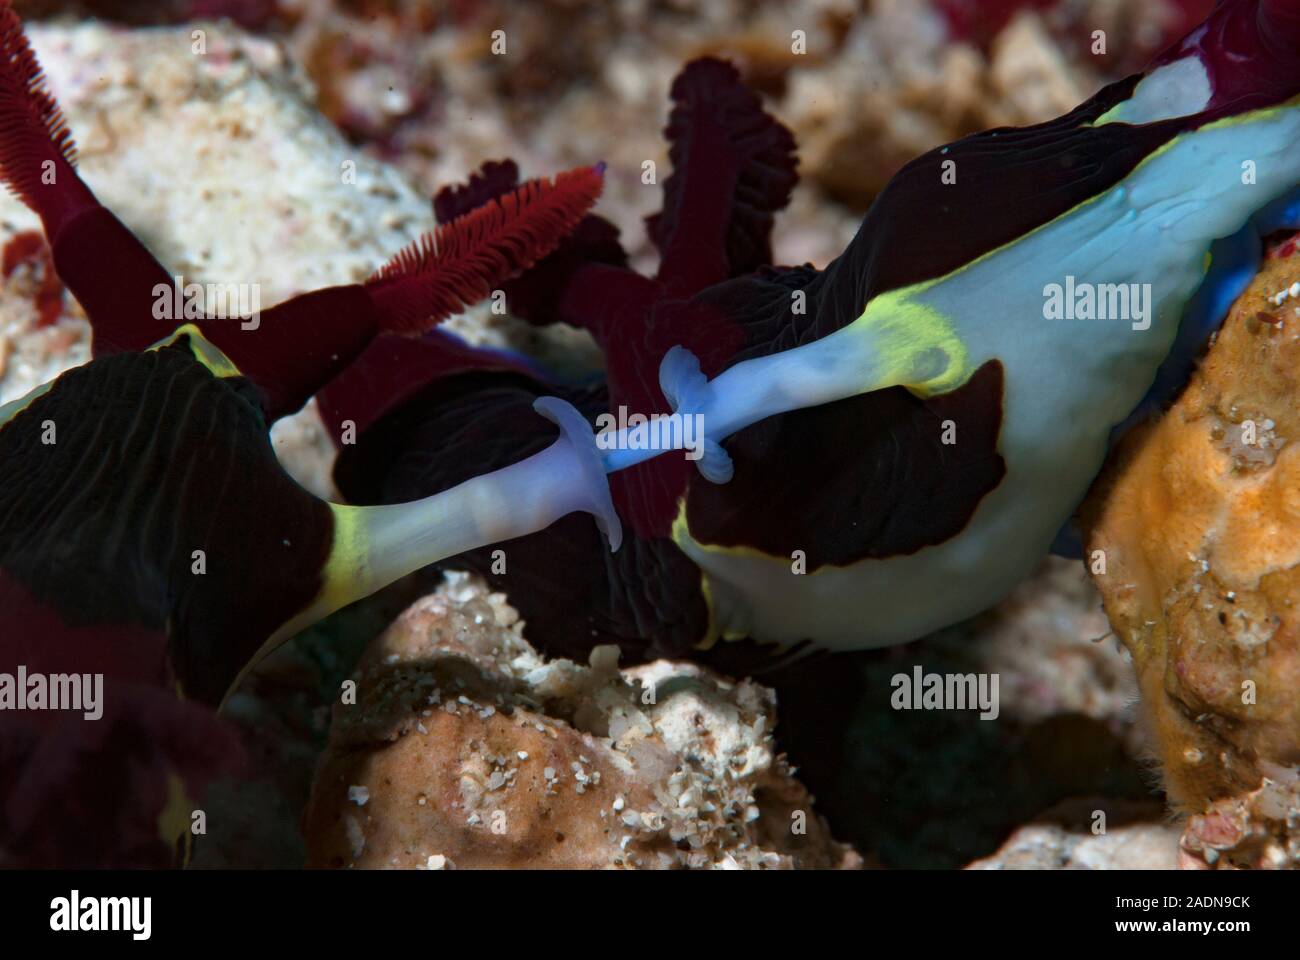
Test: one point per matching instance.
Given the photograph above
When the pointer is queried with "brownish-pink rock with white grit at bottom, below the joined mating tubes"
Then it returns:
(474, 751)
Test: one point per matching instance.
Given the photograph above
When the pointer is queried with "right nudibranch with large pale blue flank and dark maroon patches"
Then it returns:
(890, 444)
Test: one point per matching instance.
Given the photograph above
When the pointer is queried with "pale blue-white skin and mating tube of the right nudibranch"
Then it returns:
(1067, 380)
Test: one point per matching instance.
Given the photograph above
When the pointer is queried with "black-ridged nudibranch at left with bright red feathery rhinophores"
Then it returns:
(149, 537)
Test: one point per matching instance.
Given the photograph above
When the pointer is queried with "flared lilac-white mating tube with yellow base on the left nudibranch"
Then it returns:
(376, 546)
